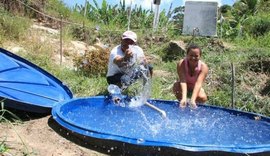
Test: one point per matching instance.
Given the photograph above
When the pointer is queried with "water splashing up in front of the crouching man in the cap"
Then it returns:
(137, 79)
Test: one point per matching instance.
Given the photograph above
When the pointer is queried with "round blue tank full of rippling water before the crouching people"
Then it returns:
(207, 128)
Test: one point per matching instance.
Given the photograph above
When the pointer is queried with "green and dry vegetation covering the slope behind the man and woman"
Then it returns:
(244, 44)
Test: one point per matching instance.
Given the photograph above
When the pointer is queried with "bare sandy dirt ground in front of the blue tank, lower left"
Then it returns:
(42, 136)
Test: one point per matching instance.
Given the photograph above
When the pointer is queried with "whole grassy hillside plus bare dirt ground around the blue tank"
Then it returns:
(36, 37)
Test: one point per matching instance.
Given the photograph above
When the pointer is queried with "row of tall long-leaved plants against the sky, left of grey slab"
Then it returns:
(118, 15)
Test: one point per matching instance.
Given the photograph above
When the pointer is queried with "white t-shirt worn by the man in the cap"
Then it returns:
(117, 51)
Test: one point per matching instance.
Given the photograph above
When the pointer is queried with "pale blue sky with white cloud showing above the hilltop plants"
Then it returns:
(165, 4)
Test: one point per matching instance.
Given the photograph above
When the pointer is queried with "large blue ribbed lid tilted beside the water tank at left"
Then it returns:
(23, 82)
